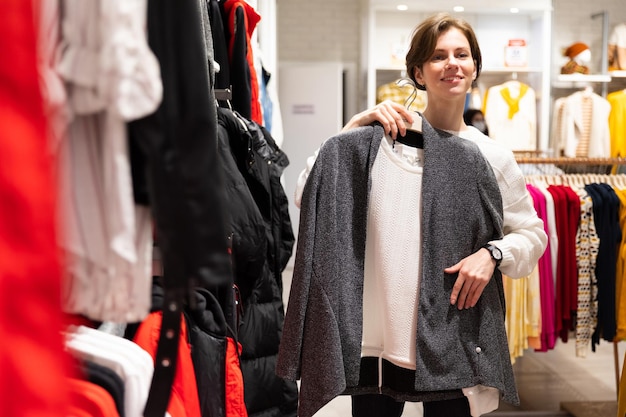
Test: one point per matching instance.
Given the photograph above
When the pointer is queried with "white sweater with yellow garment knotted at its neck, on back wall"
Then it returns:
(511, 113)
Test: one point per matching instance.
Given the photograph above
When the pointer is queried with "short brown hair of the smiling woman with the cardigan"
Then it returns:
(424, 42)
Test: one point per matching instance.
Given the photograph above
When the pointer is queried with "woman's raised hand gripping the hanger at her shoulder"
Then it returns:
(391, 116)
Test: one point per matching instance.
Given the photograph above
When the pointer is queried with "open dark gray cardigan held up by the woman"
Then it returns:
(462, 210)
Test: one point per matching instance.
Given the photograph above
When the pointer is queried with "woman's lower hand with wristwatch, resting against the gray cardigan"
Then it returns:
(475, 271)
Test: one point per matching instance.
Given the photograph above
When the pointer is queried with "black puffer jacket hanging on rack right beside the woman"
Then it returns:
(262, 243)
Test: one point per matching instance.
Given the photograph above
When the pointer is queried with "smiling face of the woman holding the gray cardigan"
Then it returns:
(450, 70)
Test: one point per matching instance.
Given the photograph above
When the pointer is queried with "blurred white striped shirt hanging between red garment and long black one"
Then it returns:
(106, 237)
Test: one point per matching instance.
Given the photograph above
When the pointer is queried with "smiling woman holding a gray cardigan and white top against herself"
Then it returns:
(433, 328)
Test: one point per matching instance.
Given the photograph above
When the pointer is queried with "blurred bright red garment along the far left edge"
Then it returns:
(32, 361)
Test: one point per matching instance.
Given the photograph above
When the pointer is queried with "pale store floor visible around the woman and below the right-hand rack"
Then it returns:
(548, 383)
